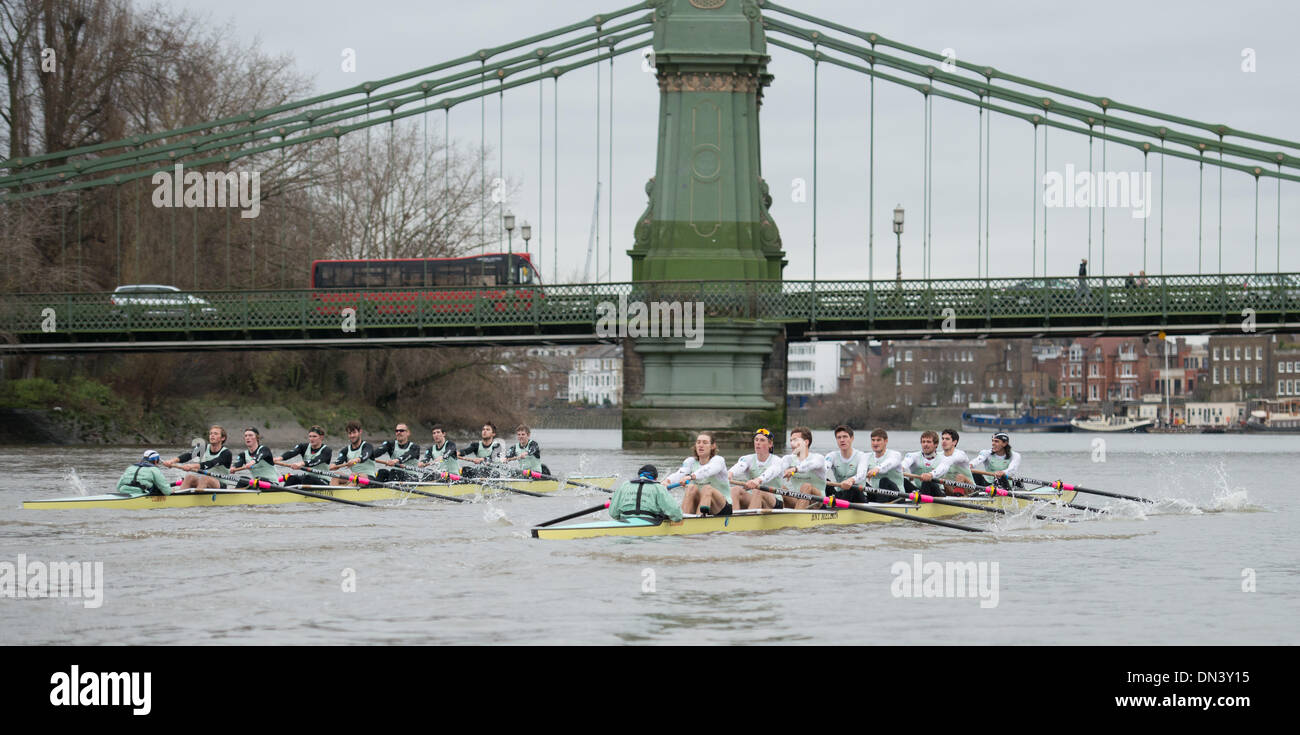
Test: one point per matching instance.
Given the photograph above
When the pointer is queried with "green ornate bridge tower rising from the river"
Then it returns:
(708, 219)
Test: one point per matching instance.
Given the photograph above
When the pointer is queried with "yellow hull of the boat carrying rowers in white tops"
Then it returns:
(786, 518)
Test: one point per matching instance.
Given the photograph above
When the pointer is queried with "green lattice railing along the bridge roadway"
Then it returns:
(1219, 297)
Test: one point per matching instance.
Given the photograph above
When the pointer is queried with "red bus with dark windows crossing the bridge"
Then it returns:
(401, 287)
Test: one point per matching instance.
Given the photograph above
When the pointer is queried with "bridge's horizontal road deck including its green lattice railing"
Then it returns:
(354, 318)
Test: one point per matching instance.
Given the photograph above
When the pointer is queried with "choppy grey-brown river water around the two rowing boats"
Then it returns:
(1215, 563)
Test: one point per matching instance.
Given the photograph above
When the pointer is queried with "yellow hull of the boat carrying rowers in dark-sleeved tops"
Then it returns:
(210, 498)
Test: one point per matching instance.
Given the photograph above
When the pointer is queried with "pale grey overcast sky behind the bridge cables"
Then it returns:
(1181, 59)
